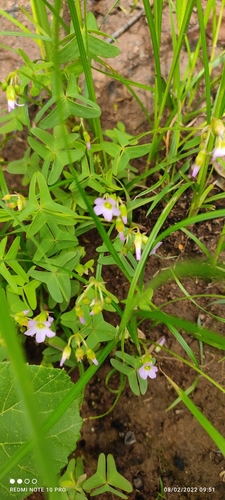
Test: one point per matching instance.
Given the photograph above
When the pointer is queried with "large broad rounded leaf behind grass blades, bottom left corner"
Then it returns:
(50, 387)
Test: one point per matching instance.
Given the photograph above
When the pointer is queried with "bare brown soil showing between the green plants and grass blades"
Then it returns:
(169, 445)
